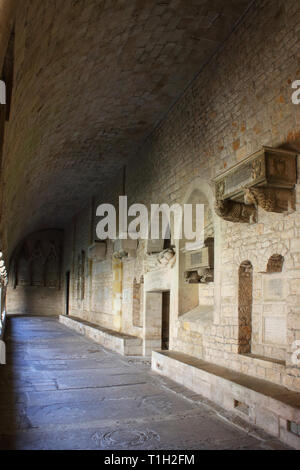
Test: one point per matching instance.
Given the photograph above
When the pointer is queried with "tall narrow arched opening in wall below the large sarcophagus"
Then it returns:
(245, 307)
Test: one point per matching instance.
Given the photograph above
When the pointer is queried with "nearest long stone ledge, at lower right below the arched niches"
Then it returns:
(262, 403)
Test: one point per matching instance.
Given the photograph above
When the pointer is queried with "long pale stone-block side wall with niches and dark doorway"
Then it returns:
(239, 102)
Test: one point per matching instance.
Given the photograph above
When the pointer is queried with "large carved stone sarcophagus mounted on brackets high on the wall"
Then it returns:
(266, 179)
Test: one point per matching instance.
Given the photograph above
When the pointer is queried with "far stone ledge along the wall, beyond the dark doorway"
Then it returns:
(121, 343)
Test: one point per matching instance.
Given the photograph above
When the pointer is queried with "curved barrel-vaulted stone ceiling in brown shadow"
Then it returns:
(92, 78)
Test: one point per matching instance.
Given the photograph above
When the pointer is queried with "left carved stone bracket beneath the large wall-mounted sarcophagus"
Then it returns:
(233, 211)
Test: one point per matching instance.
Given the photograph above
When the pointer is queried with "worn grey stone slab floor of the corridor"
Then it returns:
(60, 390)
